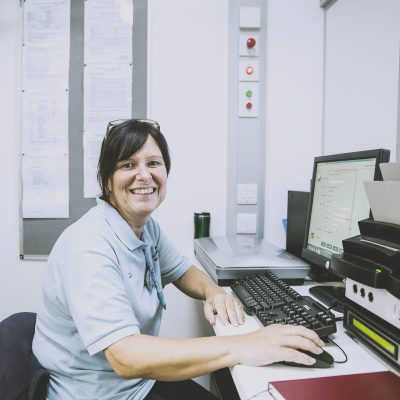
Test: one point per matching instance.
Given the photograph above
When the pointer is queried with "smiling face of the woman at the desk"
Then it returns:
(139, 184)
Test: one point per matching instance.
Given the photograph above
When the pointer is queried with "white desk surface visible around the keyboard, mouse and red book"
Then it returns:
(250, 381)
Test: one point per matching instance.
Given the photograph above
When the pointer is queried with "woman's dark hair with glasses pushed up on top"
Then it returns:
(121, 141)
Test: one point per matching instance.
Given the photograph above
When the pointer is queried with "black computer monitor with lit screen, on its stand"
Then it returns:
(337, 202)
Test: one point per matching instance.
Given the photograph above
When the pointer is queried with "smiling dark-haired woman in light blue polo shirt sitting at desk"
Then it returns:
(102, 293)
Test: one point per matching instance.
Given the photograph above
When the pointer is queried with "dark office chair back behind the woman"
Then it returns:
(21, 375)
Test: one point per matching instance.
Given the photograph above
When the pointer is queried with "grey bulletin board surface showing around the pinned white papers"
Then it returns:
(38, 235)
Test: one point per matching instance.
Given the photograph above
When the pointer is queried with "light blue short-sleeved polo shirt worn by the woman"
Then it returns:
(94, 295)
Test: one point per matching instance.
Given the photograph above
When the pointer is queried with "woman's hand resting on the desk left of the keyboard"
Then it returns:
(226, 306)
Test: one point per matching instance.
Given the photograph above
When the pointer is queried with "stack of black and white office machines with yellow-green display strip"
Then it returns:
(371, 265)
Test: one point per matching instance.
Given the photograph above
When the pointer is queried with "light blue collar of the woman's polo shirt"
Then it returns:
(121, 228)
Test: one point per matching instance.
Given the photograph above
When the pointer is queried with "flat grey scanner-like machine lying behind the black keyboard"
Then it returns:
(227, 258)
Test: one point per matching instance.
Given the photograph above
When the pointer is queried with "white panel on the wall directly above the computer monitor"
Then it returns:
(362, 74)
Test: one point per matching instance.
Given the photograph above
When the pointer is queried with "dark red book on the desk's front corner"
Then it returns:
(367, 386)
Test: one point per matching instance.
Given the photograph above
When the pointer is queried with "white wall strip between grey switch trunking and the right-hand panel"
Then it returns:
(294, 105)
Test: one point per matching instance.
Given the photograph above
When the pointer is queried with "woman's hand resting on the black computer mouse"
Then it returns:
(276, 343)
